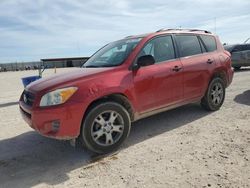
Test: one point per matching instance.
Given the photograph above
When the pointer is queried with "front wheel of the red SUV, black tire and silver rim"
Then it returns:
(93, 124)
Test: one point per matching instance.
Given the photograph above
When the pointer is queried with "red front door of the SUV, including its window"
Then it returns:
(161, 84)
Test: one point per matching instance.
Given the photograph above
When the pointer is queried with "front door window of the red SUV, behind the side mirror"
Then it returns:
(161, 48)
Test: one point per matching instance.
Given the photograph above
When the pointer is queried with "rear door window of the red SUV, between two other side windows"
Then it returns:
(188, 45)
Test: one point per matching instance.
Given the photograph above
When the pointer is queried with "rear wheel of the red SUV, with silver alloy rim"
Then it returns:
(210, 101)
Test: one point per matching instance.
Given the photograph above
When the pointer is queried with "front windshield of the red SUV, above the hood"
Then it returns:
(113, 54)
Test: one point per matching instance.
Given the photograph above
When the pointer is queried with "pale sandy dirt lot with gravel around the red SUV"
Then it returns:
(185, 147)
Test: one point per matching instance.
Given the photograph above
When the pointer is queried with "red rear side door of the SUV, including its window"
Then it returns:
(196, 65)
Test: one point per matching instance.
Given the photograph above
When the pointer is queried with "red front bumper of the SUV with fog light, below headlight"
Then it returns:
(60, 122)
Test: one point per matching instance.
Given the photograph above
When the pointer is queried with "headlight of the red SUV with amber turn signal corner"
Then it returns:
(58, 96)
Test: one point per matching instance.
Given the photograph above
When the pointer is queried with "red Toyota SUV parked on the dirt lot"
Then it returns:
(127, 80)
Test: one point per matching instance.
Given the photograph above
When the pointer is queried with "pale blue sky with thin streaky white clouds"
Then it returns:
(35, 29)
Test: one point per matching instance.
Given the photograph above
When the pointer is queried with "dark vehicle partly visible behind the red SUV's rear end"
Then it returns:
(240, 55)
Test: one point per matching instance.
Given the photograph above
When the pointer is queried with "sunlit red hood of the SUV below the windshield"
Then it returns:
(63, 78)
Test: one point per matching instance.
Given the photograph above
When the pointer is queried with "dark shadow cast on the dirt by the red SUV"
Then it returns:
(30, 159)
